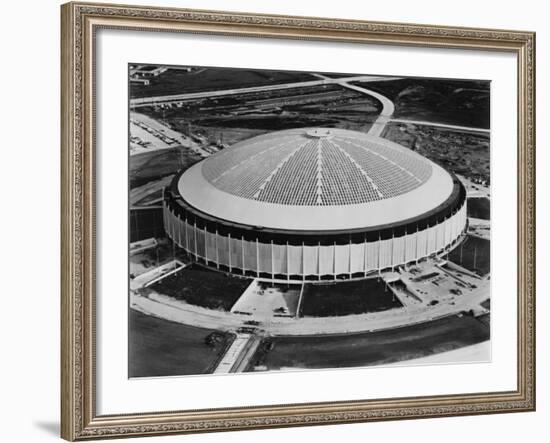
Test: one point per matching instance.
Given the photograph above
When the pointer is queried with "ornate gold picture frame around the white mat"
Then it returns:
(79, 420)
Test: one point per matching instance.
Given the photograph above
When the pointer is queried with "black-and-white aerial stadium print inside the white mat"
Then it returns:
(288, 220)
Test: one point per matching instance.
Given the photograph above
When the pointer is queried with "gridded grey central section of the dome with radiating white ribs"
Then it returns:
(316, 167)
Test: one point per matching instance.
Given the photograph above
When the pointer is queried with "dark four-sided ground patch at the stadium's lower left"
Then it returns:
(202, 287)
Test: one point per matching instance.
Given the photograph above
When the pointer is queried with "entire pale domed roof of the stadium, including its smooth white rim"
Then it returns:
(315, 179)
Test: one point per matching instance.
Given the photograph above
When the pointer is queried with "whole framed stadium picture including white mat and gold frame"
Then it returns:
(281, 221)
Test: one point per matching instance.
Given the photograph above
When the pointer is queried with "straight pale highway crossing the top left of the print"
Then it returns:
(140, 102)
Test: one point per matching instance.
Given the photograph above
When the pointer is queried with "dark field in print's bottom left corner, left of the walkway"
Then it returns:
(159, 347)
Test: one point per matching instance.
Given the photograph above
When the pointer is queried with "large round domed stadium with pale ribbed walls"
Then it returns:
(314, 204)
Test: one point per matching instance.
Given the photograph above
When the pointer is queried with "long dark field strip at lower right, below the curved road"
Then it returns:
(375, 348)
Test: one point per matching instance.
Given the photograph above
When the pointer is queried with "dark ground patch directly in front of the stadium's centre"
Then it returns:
(344, 298)
